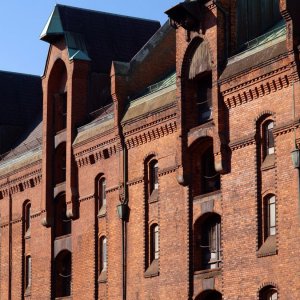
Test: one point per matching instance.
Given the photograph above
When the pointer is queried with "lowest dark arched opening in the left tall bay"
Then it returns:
(63, 276)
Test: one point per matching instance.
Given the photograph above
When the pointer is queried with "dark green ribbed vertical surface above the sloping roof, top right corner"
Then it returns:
(255, 17)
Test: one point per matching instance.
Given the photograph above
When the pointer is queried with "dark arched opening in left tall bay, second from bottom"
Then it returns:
(62, 223)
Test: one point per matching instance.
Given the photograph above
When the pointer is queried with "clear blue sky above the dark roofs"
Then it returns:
(21, 23)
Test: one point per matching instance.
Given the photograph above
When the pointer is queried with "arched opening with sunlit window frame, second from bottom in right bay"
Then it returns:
(207, 242)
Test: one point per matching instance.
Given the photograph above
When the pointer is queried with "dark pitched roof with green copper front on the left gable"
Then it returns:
(98, 36)
